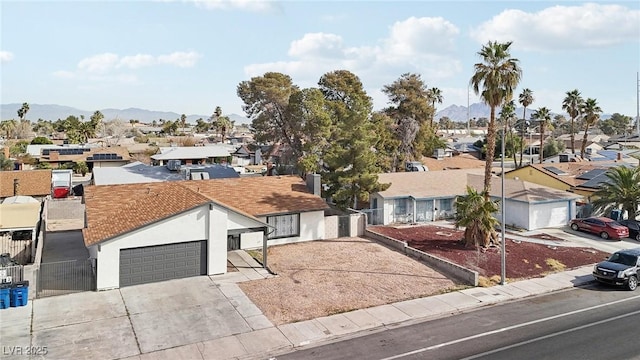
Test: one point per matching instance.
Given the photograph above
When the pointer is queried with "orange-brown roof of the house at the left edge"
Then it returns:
(35, 183)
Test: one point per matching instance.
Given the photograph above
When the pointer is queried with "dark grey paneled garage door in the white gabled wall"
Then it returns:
(163, 262)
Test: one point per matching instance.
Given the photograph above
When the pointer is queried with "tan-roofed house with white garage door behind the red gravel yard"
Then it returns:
(429, 196)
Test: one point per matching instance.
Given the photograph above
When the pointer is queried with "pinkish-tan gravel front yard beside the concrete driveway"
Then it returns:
(325, 277)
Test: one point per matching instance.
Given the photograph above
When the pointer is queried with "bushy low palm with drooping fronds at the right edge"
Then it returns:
(621, 190)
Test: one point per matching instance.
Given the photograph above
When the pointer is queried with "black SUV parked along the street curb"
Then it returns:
(621, 268)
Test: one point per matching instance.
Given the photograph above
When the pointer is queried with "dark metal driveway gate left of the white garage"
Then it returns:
(65, 277)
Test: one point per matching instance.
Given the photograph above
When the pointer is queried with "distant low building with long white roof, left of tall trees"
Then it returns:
(192, 155)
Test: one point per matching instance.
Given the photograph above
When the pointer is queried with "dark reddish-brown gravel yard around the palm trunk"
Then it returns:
(523, 259)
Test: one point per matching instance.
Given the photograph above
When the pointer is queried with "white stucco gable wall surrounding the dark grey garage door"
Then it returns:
(201, 223)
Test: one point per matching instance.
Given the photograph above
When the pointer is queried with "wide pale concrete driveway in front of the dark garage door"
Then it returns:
(134, 321)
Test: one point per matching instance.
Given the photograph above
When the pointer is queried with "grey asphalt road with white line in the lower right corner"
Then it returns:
(594, 322)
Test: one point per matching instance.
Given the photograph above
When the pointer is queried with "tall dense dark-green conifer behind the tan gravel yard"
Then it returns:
(350, 160)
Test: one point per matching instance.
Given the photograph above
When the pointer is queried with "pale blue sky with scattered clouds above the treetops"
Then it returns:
(189, 56)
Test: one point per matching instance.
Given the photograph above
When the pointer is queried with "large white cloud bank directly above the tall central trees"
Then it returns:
(422, 45)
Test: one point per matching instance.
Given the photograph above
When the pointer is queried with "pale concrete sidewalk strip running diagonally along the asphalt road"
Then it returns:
(272, 340)
